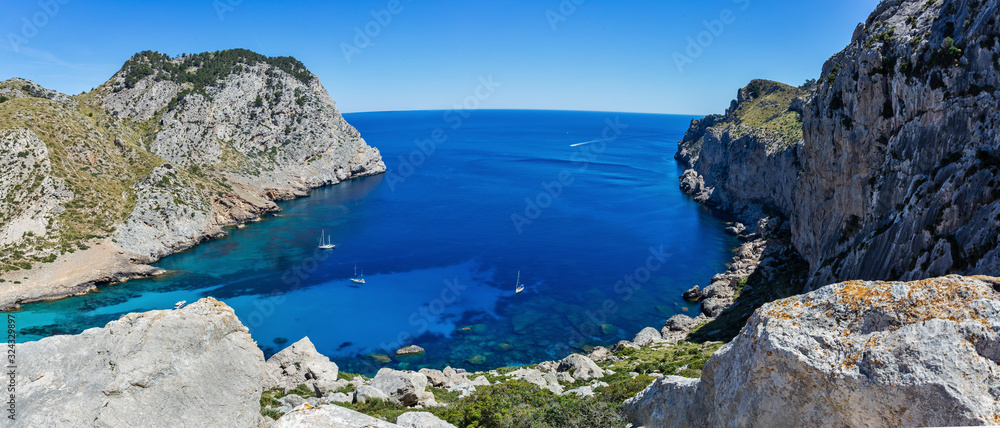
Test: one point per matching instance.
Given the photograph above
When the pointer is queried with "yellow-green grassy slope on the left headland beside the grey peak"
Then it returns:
(94, 158)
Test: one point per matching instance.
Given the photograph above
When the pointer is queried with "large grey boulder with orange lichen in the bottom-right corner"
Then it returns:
(924, 353)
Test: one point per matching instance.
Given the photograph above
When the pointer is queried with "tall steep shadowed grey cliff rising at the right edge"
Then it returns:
(902, 154)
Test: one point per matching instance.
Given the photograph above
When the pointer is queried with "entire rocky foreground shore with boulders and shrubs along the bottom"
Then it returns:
(856, 338)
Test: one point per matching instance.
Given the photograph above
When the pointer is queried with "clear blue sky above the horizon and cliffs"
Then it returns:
(546, 54)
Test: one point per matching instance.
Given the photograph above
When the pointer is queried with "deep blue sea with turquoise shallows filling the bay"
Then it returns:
(584, 205)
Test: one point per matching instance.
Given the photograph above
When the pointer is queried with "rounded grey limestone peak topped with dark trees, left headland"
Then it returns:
(266, 120)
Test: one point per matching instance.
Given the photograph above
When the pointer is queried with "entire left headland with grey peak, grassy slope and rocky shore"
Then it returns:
(155, 160)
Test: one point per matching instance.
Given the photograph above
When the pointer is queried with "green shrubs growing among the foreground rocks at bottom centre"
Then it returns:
(510, 402)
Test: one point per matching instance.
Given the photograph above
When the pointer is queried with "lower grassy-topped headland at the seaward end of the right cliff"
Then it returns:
(746, 160)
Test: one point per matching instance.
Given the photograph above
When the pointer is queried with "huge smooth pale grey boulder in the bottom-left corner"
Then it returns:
(196, 366)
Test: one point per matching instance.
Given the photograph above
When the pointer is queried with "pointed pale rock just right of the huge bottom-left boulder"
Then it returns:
(300, 364)
